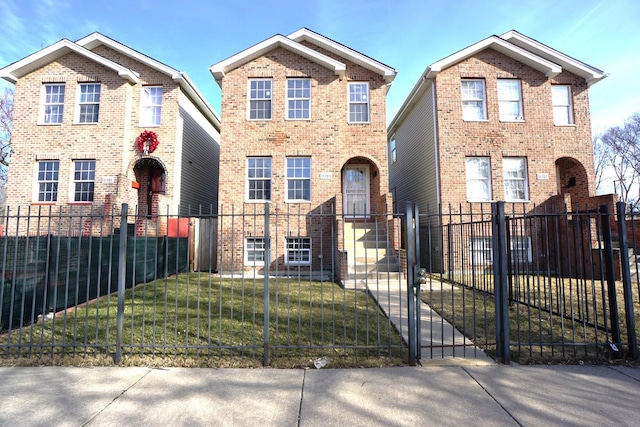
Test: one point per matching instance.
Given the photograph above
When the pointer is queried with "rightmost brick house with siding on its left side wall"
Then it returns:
(506, 118)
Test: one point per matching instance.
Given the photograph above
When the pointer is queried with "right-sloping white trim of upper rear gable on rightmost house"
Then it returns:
(590, 74)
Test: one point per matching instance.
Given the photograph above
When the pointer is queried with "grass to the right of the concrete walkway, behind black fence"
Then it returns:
(554, 322)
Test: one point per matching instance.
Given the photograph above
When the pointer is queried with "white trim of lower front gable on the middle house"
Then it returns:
(221, 68)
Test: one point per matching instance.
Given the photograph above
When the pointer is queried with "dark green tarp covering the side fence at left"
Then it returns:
(51, 273)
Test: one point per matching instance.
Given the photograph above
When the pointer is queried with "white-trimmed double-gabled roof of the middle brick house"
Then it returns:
(293, 44)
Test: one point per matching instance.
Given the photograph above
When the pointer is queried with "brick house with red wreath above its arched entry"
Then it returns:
(98, 124)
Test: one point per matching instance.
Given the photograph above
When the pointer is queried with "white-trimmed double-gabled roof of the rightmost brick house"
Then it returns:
(548, 61)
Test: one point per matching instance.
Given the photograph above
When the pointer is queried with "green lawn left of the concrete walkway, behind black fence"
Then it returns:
(204, 320)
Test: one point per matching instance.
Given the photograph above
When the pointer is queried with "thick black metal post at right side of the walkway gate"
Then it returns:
(500, 281)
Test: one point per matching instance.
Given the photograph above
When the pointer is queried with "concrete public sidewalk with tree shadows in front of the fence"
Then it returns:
(489, 395)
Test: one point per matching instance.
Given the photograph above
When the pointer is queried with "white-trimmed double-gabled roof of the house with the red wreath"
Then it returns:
(85, 46)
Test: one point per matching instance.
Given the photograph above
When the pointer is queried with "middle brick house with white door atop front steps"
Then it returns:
(304, 134)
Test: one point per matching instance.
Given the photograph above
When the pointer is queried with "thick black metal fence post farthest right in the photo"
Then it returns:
(626, 282)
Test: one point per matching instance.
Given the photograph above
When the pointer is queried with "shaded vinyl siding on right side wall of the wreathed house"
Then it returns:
(200, 168)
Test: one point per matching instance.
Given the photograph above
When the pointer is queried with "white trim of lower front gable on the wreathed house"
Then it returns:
(42, 57)
